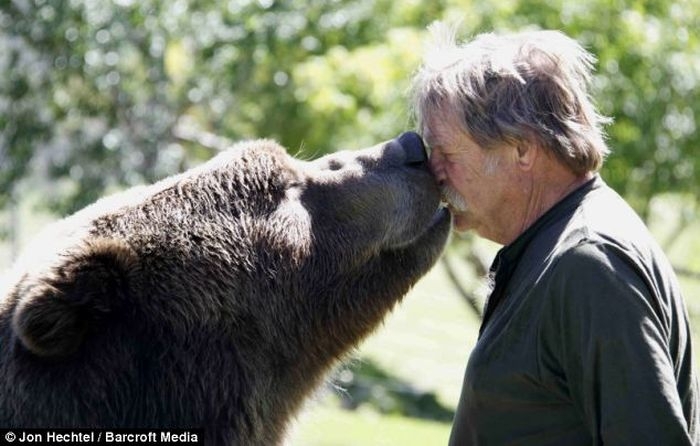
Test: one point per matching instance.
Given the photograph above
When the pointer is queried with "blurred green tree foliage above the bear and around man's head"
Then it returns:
(104, 93)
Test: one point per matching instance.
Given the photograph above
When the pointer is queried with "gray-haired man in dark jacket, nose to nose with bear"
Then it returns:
(585, 338)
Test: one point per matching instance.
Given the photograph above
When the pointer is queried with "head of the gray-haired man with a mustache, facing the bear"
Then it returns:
(507, 116)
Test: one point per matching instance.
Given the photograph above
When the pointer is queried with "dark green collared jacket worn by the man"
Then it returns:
(586, 338)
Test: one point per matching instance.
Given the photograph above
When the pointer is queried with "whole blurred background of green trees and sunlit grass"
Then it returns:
(99, 95)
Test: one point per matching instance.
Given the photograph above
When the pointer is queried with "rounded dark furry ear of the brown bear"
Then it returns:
(55, 311)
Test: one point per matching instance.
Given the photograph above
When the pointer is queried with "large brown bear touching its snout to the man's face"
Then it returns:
(217, 298)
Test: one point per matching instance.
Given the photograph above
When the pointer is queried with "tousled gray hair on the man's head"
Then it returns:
(529, 86)
